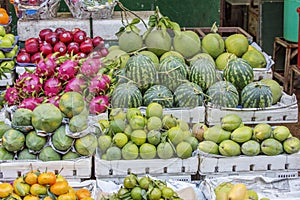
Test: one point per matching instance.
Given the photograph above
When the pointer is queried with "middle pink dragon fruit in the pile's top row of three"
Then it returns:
(67, 70)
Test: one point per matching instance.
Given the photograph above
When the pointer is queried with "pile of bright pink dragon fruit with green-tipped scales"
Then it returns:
(56, 75)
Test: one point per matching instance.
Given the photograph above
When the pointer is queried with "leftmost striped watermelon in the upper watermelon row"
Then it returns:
(141, 70)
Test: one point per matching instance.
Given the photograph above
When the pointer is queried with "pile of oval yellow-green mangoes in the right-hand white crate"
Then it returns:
(232, 138)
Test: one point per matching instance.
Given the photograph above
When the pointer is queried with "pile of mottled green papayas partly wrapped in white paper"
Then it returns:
(49, 133)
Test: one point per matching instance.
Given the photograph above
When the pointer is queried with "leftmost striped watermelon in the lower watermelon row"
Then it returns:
(126, 95)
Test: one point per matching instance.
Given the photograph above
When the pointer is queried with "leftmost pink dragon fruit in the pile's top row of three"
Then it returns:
(46, 67)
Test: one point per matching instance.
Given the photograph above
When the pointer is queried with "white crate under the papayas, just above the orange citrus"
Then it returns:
(70, 169)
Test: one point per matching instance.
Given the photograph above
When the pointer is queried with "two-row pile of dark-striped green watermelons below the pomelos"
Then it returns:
(174, 83)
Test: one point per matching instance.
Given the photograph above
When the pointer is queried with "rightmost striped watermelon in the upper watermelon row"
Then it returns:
(239, 72)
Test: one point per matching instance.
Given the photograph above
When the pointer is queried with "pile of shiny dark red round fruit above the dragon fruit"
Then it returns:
(60, 42)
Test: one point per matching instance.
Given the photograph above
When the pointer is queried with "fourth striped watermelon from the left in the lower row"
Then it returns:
(223, 93)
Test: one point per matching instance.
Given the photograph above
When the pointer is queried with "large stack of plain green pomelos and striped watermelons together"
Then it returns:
(179, 69)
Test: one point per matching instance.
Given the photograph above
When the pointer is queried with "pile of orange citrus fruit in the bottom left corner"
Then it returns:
(36, 185)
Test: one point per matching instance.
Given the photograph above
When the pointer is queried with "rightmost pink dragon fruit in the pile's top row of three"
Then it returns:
(90, 67)
